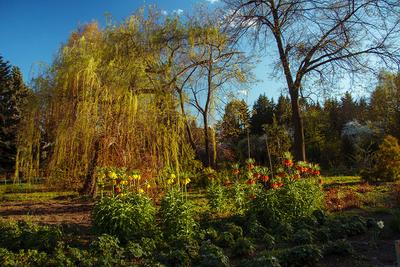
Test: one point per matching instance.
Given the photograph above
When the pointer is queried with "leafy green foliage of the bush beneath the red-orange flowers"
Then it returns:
(292, 202)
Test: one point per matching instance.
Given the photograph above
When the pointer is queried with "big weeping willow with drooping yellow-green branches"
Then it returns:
(99, 105)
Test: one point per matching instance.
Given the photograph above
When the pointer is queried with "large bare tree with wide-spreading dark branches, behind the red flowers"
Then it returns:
(320, 40)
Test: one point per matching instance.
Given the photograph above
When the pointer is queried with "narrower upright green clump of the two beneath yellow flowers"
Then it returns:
(177, 215)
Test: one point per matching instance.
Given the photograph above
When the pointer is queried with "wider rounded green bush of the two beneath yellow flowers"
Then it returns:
(126, 217)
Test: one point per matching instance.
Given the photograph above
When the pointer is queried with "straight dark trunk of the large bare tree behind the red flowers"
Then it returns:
(299, 143)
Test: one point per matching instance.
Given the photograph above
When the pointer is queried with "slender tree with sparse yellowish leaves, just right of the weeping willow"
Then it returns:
(221, 66)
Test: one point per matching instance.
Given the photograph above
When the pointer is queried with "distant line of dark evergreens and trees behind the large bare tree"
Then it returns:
(340, 134)
